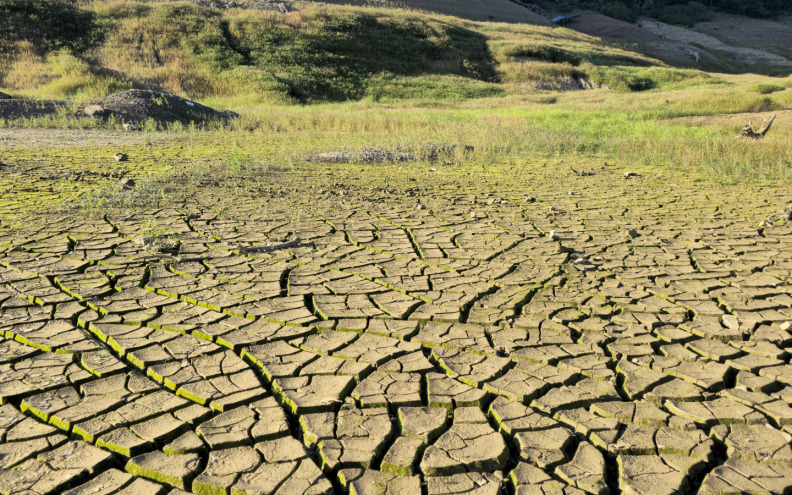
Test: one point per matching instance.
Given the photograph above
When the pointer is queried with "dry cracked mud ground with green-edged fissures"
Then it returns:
(520, 331)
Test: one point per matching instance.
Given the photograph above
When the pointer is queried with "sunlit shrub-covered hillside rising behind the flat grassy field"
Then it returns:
(316, 53)
